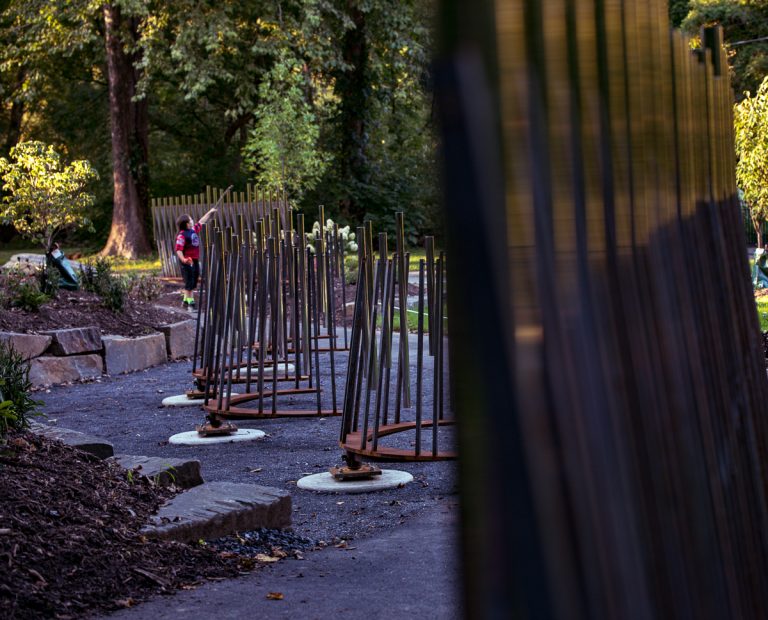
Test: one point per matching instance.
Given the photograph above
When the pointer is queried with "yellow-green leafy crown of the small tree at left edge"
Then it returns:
(44, 196)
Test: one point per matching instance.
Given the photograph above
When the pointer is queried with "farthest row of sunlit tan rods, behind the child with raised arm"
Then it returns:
(252, 205)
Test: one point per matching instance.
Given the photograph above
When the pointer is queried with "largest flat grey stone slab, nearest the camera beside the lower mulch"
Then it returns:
(218, 509)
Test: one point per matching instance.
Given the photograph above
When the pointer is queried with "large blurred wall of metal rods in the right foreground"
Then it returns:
(613, 392)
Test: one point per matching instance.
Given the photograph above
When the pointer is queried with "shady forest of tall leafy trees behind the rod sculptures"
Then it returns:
(329, 99)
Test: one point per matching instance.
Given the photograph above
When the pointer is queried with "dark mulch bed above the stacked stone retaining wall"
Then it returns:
(84, 309)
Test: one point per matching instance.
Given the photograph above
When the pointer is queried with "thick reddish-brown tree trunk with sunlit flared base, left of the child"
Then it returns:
(129, 124)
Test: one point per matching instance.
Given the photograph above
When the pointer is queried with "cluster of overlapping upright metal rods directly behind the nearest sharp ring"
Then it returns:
(268, 316)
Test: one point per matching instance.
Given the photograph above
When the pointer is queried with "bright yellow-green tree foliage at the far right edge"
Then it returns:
(751, 129)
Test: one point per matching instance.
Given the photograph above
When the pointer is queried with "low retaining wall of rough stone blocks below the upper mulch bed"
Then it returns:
(66, 355)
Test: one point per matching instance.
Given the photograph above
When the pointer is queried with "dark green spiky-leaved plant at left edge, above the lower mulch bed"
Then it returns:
(14, 389)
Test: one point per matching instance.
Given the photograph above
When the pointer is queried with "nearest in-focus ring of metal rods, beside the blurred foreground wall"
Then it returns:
(378, 403)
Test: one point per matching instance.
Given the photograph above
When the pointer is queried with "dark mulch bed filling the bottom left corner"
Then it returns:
(69, 536)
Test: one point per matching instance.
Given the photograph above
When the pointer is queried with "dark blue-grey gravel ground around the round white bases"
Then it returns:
(126, 410)
